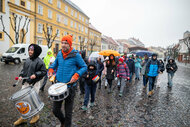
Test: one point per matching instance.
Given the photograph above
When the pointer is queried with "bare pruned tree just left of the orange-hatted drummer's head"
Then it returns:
(48, 32)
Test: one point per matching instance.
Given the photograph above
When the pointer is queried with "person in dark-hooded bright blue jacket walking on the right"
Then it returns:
(152, 70)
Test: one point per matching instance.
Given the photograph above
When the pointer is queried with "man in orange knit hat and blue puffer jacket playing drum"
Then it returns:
(70, 66)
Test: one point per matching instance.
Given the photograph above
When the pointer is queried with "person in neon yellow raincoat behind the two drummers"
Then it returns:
(47, 63)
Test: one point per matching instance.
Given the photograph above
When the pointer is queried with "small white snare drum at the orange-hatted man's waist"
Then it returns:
(58, 91)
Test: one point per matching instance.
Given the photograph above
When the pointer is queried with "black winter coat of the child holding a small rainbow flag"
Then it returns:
(91, 73)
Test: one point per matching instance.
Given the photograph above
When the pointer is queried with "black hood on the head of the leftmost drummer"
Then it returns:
(37, 51)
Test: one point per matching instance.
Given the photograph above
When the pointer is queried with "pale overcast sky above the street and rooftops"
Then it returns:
(154, 22)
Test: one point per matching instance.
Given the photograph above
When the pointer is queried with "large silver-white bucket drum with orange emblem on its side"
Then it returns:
(27, 102)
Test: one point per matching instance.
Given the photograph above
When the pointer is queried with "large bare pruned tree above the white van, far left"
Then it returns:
(15, 25)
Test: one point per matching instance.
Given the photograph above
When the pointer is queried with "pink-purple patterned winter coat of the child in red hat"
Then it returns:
(123, 70)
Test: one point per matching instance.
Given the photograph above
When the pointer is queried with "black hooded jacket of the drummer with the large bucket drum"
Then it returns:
(33, 65)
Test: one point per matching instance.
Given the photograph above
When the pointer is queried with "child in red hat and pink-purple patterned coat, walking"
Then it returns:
(122, 74)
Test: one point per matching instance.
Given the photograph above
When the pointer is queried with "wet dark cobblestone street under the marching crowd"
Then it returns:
(166, 108)
